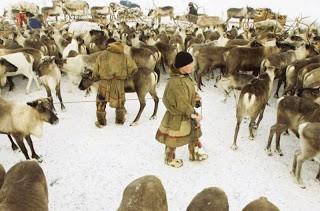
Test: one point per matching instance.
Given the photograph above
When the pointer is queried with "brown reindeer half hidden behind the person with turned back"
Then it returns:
(142, 82)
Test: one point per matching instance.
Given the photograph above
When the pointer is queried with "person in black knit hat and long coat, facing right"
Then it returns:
(180, 124)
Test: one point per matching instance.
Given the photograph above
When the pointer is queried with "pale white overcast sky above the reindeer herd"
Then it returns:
(292, 8)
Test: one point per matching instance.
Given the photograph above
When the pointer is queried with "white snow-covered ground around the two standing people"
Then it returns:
(88, 168)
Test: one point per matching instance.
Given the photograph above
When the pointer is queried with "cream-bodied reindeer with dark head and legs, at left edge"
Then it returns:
(21, 121)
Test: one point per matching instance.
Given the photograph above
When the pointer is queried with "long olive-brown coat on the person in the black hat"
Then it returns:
(176, 128)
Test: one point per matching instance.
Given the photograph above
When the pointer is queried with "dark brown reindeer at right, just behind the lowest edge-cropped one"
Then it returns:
(292, 111)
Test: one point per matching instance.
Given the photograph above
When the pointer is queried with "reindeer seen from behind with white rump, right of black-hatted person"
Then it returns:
(252, 102)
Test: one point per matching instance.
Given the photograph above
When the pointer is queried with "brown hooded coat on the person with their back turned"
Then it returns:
(113, 67)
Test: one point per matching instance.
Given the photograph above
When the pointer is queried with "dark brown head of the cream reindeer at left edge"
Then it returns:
(46, 110)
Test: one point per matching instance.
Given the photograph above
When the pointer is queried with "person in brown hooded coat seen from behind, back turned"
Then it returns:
(113, 67)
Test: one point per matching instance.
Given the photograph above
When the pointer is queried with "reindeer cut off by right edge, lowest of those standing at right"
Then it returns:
(309, 133)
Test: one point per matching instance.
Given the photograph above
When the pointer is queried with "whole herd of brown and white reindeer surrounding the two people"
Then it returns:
(250, 57)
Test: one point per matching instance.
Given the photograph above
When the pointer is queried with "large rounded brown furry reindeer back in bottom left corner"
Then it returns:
(24, 188)
